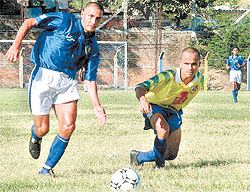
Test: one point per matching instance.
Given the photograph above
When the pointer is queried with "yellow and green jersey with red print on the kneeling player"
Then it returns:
(166, 89)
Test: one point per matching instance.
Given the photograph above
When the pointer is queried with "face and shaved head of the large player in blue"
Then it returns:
(91, 18)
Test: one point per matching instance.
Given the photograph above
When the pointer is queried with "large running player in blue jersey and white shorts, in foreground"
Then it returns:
(65, 45)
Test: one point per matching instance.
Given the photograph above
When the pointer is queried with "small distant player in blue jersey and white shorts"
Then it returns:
(234, 64)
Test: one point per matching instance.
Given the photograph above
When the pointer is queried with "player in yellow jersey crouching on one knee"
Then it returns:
(161, 101)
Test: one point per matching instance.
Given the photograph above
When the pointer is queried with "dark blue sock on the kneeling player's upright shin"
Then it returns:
(159, 150)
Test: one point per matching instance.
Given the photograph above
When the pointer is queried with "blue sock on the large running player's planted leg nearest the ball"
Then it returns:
(56, 151)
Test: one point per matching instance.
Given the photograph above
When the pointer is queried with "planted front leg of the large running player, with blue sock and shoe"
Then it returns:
(66, 114)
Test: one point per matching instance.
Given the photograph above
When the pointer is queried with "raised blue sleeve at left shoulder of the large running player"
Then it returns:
(49, 21)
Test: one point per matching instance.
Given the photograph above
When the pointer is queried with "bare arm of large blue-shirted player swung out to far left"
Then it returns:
(13, 52)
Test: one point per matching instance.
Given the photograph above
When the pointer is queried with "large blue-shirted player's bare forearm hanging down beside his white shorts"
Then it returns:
(93, 93)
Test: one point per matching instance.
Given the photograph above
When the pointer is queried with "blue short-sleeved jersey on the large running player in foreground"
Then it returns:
(62, 45)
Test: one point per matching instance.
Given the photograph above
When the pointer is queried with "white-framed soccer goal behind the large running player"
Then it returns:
(112, 70)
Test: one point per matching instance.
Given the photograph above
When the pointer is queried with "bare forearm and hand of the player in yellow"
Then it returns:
(144, 107)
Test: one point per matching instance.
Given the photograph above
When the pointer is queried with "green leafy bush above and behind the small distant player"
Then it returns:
(226, 36)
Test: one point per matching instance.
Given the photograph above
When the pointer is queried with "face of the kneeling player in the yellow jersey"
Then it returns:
(190, 63)
